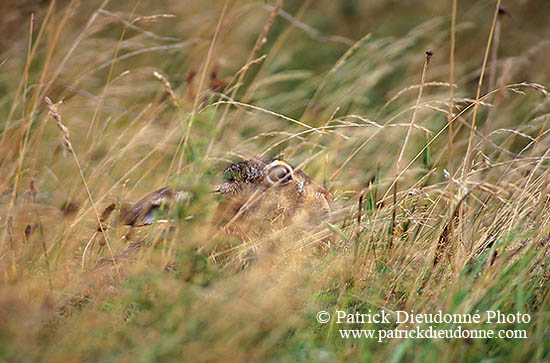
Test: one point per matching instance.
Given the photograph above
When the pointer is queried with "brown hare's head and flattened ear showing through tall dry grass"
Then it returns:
(257, 195)
